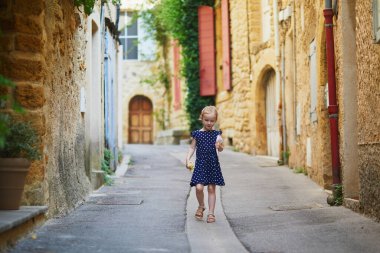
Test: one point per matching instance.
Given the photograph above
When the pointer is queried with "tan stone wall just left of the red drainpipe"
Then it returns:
(308, 27)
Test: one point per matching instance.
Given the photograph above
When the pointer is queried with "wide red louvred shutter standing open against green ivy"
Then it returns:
(206, 51)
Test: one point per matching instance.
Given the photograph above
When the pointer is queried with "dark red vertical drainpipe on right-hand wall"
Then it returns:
(333, 107)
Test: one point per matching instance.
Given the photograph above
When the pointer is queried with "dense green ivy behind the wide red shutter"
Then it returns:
(180, 19)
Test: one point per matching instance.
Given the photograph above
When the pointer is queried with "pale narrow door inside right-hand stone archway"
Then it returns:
(271, 119)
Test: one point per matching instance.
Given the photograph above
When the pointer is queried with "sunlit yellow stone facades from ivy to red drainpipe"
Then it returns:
(275, 62)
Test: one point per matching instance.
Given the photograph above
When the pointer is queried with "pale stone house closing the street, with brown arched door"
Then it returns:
(151, 89)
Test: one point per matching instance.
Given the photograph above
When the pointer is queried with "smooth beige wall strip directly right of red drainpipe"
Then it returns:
(346, 79)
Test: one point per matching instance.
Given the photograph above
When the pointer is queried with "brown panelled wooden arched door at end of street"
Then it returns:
(140, 120)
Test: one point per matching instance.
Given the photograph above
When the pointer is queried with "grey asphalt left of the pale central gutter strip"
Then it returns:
(144, 211)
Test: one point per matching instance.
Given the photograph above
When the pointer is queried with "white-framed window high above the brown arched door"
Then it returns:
(129, 36)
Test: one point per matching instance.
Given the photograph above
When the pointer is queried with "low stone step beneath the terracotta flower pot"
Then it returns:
(16, 223)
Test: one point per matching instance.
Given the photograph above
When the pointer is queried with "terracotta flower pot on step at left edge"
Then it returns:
(13, 172)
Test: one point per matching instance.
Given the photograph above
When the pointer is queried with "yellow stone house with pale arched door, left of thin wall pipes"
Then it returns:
(250, 111)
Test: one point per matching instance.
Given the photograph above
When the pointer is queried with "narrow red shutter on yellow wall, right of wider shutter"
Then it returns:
(226, 45)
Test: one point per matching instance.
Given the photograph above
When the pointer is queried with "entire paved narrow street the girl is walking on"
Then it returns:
(268, 208)
